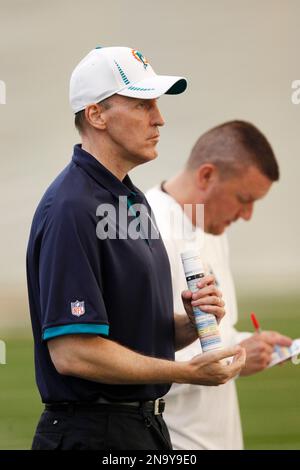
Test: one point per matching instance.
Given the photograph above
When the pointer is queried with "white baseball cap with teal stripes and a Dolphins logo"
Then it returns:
(122, 70)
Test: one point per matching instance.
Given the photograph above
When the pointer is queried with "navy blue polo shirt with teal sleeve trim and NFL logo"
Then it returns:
(80, 283)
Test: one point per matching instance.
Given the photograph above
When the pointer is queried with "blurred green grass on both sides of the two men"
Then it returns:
(269, 401)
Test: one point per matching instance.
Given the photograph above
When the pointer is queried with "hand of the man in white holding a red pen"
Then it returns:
(259, 348)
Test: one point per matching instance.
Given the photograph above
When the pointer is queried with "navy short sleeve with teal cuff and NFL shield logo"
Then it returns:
(70, 274)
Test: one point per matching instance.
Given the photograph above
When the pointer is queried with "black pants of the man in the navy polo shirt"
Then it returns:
(104, 427)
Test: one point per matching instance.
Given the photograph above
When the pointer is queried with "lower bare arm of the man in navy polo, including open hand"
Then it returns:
(102, 360)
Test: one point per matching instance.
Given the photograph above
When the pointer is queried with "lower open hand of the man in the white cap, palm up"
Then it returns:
(210, 369)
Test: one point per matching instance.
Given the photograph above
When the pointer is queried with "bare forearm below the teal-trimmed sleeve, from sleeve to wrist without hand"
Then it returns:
(103, 360)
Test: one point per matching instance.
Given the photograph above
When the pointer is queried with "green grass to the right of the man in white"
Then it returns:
(270, 400)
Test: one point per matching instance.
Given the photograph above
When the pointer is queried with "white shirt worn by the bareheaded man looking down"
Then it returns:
(200, 417)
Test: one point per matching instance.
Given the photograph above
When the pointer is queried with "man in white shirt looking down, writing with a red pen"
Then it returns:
(230, 167)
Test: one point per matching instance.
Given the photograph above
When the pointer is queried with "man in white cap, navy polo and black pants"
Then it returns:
(100, 285)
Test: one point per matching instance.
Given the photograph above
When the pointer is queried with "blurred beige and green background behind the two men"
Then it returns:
(240, 59)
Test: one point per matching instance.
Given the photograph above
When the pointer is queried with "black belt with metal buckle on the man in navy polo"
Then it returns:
(153, 406)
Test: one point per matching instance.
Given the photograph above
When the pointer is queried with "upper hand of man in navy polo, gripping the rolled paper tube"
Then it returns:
(208, 299)
